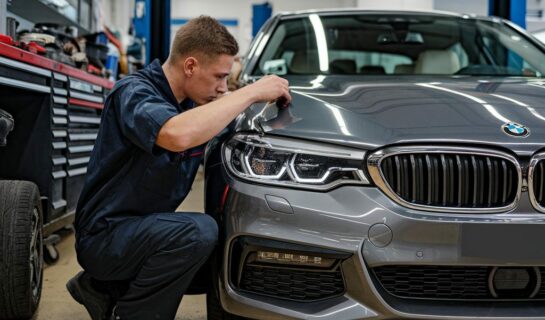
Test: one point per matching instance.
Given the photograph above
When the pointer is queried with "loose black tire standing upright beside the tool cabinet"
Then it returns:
(21, 249)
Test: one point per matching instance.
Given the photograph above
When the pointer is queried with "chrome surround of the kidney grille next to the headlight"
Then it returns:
(375, 159)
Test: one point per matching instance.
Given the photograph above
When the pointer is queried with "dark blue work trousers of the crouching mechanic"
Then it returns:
(154, 257)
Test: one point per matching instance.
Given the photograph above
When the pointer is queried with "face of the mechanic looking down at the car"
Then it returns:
(209, 79)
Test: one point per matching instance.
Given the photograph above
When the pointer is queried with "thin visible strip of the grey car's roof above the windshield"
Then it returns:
(364, 11)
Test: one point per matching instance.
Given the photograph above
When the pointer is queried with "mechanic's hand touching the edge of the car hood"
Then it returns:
(269, 88)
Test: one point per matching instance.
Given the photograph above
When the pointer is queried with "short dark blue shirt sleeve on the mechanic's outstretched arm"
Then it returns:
(142, 113)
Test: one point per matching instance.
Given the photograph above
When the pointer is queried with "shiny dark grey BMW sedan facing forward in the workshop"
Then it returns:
(405, 180)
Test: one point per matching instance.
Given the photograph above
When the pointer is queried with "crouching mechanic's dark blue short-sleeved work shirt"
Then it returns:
(128, 175)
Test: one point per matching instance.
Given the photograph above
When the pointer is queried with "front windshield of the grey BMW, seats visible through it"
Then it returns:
(388, 44)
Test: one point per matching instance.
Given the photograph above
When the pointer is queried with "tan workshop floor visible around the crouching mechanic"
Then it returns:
(57, 304)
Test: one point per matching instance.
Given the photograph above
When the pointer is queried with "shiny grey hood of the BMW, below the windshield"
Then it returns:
(372, 112)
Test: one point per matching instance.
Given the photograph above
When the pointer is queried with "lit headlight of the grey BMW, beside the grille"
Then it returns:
(291, 162)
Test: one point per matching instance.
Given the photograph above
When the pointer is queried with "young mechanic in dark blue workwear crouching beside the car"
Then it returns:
(138, 255)
